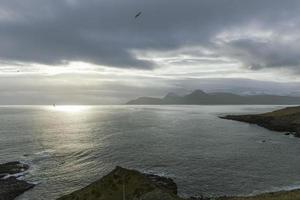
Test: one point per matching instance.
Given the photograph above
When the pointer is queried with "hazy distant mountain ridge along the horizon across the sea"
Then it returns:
(199, 97)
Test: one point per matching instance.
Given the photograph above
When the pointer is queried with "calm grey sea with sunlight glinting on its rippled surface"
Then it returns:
(69, 147)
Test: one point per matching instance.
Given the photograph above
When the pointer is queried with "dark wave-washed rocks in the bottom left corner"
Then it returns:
(10, 185)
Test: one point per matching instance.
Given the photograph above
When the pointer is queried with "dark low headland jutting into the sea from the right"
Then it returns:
(285, 120)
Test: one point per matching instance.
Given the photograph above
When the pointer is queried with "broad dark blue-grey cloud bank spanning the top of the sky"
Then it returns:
(105, 32)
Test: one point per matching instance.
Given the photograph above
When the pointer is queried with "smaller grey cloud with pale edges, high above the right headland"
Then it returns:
(264, 54)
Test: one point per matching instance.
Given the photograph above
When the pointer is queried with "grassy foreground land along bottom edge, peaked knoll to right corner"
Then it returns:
(121, 184)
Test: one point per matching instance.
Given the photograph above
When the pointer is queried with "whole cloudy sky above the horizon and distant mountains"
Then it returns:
(97, 52)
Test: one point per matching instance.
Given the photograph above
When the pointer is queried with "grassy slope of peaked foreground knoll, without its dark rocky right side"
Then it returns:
(110, 187)
